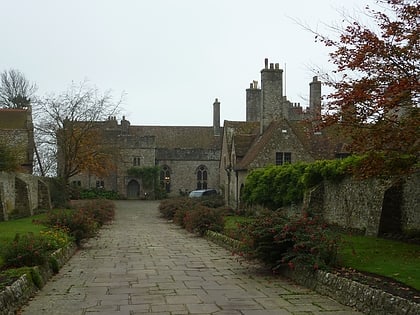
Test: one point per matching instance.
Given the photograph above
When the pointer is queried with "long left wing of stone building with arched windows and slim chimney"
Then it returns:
(188, 157)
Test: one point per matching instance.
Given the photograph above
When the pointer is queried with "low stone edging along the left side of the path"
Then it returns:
(20, 291)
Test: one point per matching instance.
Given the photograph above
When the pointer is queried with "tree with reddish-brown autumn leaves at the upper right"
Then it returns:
(376, 89)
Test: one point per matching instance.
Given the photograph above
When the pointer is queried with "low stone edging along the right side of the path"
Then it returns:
(346, 291)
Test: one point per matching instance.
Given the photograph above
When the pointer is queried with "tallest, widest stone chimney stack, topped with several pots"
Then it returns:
(271, 94)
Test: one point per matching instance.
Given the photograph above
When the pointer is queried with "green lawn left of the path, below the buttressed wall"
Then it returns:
(8, 229)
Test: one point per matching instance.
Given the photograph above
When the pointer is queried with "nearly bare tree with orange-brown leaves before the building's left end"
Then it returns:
(67, 127)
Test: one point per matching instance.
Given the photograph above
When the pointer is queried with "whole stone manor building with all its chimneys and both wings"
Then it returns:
(275, 132)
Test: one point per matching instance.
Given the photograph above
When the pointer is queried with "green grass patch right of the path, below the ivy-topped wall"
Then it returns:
(393, 259)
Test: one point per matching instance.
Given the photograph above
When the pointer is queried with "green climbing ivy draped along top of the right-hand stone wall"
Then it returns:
(276, 186)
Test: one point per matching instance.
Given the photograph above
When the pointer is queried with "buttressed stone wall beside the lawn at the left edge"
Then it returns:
(22, 195)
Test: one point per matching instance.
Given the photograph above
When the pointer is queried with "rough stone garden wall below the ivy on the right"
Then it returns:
(361, 204)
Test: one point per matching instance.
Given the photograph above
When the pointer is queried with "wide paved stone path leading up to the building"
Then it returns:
(142, 264)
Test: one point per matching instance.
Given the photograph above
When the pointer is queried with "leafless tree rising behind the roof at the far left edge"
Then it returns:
(15, 90)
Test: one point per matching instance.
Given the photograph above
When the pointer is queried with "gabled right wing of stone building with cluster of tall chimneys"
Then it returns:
(276, 131)
